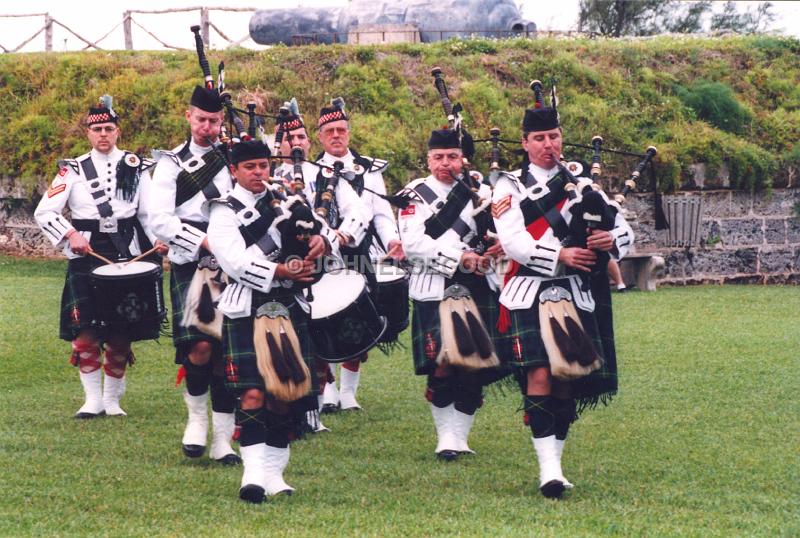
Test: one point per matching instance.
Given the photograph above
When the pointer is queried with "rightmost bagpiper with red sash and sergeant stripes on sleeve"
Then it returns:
(551, 310)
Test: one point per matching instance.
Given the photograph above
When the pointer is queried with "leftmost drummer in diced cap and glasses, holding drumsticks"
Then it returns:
(102, 190)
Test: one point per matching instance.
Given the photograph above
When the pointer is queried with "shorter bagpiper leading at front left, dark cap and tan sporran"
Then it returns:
(264, 300)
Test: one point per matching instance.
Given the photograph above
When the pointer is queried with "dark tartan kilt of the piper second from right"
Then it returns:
(426, 341)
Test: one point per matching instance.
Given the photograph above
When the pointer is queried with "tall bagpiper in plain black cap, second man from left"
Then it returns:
(184, 179)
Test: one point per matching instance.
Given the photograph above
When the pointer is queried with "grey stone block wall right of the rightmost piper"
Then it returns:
(743, 237)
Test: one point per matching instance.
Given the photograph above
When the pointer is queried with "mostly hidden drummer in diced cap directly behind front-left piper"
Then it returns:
(350, 214)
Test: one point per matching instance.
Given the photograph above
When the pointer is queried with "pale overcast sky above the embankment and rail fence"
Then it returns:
(92, 19)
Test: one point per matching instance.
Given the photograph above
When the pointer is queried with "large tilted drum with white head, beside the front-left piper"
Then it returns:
(344, 321)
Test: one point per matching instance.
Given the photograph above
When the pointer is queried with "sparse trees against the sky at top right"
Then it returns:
(615, 18)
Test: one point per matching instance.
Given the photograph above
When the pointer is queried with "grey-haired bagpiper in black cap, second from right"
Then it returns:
(441, 260)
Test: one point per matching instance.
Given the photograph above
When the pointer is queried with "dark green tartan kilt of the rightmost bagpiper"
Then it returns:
(523, 343)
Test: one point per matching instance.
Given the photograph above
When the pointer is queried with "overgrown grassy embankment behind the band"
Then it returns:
(732, 100)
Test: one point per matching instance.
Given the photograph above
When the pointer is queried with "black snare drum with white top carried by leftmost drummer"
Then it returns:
(129, 299)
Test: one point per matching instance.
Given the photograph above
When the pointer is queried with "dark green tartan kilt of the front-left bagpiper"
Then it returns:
(239, 351)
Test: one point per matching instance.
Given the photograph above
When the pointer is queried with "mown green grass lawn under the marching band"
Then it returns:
(702, 440)
